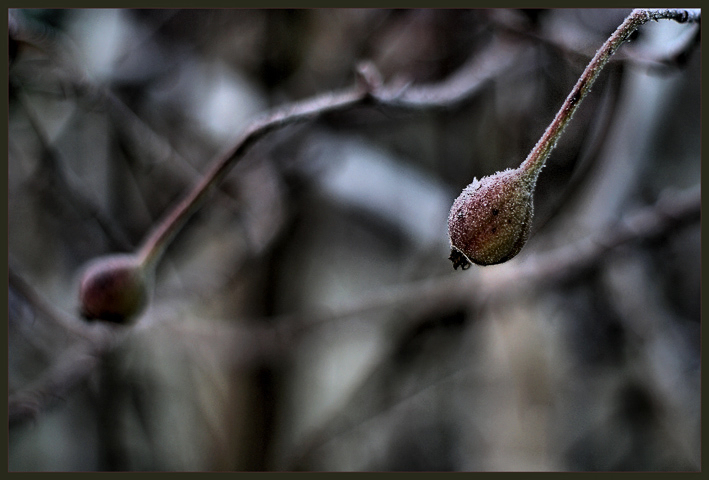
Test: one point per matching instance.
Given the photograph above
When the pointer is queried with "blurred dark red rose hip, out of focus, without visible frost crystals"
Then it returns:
(114, 289)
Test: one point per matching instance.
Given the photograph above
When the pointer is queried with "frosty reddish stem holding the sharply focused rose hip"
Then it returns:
(539, 154)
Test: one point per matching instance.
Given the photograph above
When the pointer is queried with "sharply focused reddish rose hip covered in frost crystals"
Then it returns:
(490, 221)
